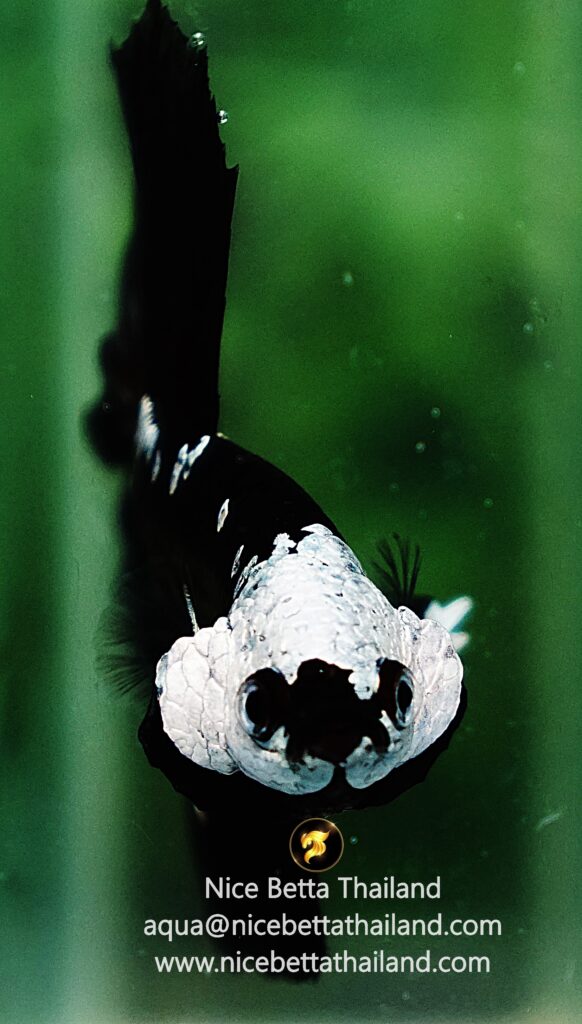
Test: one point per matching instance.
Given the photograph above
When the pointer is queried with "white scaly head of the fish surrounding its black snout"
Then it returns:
(308, 602)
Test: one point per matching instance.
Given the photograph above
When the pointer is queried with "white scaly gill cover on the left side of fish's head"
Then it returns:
(190, 681)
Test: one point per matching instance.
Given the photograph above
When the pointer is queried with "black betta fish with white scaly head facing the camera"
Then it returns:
(277, 673)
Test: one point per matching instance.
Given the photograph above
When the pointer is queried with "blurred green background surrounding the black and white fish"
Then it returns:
(402, 337)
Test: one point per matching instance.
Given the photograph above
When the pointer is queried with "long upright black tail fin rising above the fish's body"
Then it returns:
(168, 339)
